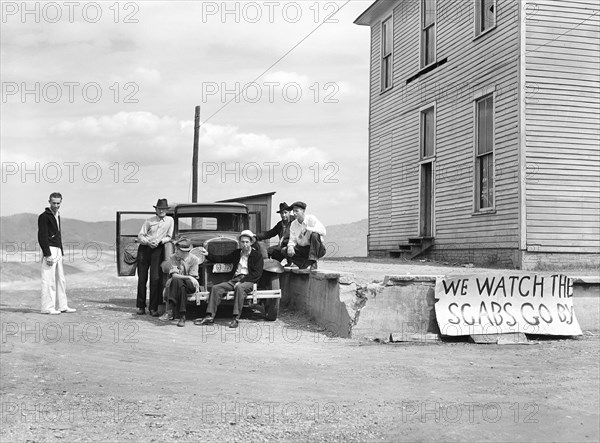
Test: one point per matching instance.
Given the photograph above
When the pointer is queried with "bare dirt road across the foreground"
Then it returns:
(105, 374)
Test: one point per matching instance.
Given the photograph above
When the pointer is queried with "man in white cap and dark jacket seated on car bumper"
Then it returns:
(248, 266)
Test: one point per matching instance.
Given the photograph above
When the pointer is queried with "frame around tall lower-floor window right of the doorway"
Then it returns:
(484, 94)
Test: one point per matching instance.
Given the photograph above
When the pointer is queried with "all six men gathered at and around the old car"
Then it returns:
(301, 237)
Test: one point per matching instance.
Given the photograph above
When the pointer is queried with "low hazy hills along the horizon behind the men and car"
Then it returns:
(347, 240)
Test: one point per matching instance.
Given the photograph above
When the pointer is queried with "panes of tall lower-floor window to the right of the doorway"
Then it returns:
(484, 159)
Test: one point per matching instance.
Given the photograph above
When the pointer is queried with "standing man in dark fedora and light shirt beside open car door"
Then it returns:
(155, 232)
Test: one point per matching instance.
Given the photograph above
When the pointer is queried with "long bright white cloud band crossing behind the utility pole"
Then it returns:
(151, 139)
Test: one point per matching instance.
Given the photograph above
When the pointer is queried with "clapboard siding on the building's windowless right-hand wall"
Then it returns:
(562, 133)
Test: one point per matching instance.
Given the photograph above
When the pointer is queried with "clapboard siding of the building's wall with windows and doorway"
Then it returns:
(491, 60)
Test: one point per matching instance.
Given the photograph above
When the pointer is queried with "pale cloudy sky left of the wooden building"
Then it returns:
(98, 102)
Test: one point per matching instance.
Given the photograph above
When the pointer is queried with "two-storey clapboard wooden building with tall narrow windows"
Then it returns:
(484, 139)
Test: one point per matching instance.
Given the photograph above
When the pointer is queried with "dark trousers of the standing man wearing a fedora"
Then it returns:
(148, 262)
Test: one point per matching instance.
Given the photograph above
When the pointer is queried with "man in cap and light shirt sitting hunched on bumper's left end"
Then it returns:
(183, 273)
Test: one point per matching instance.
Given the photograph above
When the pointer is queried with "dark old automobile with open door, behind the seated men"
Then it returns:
(216, 227)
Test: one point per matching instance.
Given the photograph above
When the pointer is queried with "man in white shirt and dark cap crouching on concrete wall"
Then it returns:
(305, 246)
